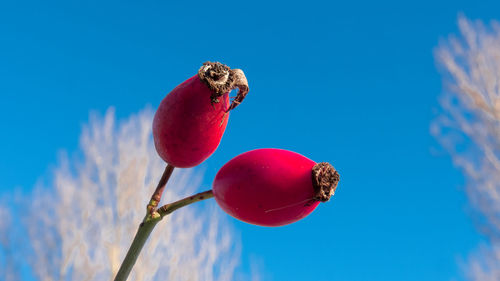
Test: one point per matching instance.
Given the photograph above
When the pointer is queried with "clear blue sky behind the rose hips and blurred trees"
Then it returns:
(351, 83)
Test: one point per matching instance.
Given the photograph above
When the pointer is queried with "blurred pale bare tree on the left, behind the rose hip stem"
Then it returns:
(79, 226)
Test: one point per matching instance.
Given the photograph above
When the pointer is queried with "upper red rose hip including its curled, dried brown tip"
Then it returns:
(191, 119)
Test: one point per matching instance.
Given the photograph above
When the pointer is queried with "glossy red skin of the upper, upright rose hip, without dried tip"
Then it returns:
(188, 127)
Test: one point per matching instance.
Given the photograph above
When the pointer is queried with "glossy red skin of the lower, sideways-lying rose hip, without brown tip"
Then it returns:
(267, 187)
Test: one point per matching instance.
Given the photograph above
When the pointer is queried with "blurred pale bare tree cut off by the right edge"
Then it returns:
(469, 129)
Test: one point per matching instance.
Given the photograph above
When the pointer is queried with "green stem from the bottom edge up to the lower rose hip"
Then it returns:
(147, 227)
